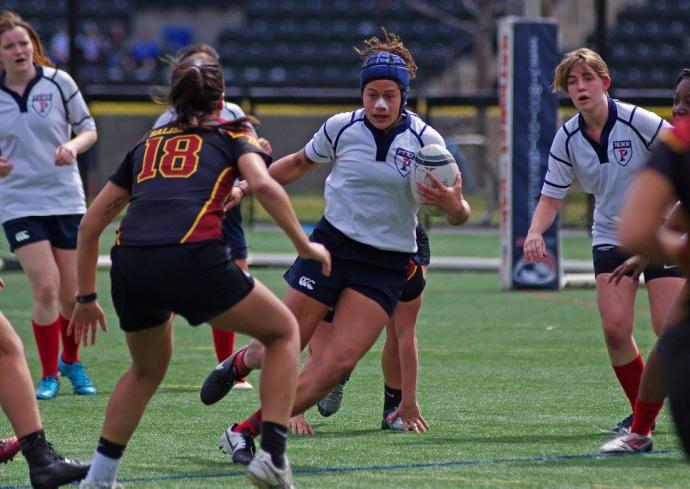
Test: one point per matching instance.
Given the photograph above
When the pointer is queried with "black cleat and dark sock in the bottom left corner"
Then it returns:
(48, 469)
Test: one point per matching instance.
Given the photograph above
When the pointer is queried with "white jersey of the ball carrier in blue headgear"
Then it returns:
(368, 194)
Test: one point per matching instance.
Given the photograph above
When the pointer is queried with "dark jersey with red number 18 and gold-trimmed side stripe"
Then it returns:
(178, 181)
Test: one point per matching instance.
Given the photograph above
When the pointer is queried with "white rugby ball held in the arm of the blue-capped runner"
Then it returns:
(435, 159)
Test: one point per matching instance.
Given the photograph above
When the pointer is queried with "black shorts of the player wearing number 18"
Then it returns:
(198, 281)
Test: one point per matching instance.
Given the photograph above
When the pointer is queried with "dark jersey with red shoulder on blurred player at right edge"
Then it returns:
(671, 157)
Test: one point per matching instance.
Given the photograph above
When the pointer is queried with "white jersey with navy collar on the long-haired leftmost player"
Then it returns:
(32, 126)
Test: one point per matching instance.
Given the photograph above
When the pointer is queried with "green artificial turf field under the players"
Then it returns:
(515, 385)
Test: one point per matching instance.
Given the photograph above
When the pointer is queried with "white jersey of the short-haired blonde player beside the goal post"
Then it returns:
(604, 169)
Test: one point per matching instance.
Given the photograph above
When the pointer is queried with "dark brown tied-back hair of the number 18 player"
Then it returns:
(196, 90)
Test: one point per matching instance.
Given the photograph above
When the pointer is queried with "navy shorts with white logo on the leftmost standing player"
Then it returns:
(61, 231)
